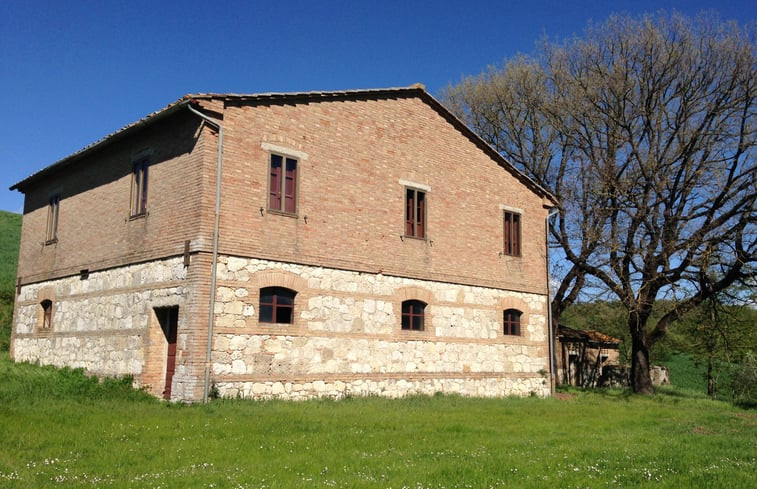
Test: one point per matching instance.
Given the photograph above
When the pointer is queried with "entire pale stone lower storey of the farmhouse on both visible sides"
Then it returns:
(345, 338)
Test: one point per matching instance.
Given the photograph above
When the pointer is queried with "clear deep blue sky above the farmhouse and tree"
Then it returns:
(73, 71)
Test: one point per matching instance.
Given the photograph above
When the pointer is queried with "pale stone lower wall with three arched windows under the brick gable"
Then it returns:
(346, 337)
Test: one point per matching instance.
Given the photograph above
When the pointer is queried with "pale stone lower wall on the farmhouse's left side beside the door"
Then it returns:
(104, 323)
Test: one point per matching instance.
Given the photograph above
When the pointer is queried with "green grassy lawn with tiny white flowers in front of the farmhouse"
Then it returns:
(61, 429)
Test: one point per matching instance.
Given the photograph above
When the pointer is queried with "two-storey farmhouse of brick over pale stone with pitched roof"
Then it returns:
(289, 245)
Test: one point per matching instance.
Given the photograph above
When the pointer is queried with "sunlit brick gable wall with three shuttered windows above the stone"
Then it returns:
(349, 188)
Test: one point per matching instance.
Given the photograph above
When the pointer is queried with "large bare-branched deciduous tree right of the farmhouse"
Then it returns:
(646, 130)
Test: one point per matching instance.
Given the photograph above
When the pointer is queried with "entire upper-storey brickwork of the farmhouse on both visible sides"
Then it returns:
(358, 152)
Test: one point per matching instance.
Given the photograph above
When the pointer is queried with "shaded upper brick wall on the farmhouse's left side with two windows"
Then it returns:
(95, 230)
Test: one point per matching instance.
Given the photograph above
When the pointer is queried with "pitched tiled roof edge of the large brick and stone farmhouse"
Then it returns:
(416, 90)
